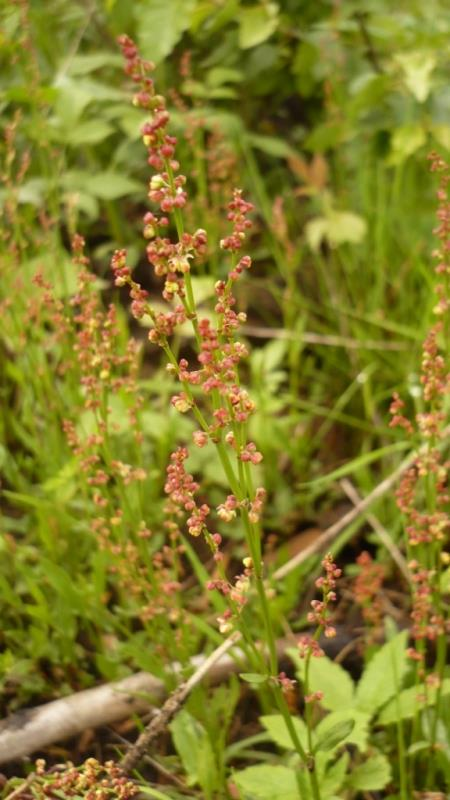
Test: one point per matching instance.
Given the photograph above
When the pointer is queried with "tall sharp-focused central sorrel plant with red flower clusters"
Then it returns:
(211, 390)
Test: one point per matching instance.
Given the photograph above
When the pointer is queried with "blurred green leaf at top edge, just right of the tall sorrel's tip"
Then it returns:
(160, 25)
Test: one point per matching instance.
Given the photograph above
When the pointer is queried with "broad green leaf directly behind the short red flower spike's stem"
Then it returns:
(329, 678)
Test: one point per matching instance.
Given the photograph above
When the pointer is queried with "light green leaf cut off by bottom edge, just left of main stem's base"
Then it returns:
(266, 782)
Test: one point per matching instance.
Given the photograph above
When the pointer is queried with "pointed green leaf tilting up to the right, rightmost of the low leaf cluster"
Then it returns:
(383, 676)
